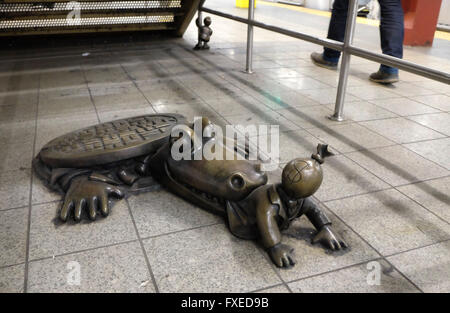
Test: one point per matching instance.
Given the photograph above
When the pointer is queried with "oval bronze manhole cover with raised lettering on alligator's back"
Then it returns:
(110, 142)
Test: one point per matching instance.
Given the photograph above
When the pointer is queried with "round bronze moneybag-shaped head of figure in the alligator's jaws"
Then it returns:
(301, 178)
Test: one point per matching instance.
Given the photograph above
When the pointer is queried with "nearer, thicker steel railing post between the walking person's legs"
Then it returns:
(345, 64)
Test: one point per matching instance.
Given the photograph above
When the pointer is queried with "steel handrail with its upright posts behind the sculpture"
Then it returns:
(346, 47)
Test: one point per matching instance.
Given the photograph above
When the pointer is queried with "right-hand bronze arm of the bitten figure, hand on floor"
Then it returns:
(325, 235)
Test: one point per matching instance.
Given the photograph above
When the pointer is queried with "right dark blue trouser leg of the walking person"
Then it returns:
(391, 31)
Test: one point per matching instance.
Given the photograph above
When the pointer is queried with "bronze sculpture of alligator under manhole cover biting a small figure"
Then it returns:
(121, 157)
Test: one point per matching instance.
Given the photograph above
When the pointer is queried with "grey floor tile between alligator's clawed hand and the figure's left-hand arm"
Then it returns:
(159, 212)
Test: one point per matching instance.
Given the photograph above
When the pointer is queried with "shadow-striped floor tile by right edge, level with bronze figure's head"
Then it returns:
(397, 165)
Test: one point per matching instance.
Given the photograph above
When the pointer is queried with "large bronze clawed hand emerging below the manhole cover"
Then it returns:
(84, 193)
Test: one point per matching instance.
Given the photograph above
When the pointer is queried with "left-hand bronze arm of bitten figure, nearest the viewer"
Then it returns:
(271, 236)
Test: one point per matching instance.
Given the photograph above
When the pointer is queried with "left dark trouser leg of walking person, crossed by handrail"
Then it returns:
(336, 29)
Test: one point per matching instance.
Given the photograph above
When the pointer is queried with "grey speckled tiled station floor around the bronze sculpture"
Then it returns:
(386, 189)
